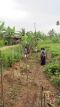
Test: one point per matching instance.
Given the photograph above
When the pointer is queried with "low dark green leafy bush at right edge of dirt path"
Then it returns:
(53, 72)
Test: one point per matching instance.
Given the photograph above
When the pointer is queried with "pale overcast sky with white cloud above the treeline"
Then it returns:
(26, 13)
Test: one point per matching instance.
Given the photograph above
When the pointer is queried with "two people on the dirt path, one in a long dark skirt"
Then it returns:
(42, 54)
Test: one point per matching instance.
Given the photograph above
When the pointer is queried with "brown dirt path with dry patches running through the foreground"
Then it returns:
(23, 82)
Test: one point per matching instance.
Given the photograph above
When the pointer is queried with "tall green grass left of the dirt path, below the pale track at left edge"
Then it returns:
(10, 55)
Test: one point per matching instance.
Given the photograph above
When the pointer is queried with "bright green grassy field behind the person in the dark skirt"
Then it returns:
(53, 48)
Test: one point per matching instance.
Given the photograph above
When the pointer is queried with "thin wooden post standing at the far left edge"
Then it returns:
(1, 70)
